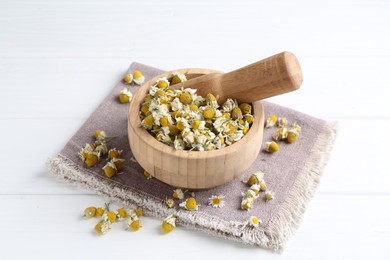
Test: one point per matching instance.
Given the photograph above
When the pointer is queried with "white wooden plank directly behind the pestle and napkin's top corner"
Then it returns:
(41, 90)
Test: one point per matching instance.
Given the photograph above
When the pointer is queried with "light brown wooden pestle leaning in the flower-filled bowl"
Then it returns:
(270, 77)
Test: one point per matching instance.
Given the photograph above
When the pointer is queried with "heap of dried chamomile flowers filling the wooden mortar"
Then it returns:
(186, 121)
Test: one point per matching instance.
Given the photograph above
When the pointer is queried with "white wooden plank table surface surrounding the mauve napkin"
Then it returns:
(59, 59)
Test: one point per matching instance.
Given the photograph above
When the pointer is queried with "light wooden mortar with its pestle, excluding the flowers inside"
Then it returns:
(207, 169)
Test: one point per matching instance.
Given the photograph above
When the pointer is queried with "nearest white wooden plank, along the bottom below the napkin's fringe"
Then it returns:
(335, 227)
